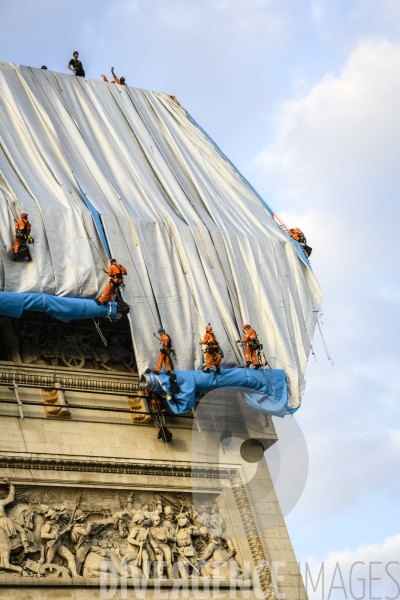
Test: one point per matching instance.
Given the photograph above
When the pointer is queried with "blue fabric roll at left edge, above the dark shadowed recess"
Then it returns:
(64, 309)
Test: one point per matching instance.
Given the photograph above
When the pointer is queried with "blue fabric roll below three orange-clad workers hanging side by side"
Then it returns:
(264, 389)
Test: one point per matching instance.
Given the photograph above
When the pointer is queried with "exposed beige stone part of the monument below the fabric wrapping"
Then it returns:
(96, 504)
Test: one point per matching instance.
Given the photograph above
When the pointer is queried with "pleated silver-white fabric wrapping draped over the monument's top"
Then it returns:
(198, 244)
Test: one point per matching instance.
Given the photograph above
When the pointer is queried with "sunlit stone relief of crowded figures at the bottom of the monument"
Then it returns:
(59, 533)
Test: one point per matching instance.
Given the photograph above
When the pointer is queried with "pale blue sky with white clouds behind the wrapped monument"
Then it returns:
(303, 96)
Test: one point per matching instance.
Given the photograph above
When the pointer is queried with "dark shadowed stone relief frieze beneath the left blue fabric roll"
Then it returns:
(69, 346)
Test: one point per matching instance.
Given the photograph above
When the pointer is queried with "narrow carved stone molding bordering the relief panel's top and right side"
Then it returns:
(164, 469)
